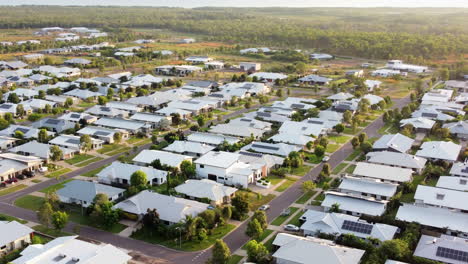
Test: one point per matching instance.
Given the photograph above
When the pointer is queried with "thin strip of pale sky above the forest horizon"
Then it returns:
(249, 3)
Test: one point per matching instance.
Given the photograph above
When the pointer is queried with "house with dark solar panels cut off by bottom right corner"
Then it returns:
(443, 249)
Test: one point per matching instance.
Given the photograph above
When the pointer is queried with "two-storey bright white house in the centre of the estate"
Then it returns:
(226, 168)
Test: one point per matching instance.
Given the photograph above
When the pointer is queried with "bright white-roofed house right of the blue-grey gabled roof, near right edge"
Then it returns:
(439, 150)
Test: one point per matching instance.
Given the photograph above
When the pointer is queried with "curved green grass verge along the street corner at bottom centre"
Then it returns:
(217, 233)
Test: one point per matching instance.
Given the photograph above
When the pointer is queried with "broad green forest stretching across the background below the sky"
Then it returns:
(378, 33)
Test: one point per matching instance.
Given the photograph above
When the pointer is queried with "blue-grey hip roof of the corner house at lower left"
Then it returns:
(87, 191)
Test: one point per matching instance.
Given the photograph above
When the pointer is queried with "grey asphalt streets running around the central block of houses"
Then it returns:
(234, 240)
